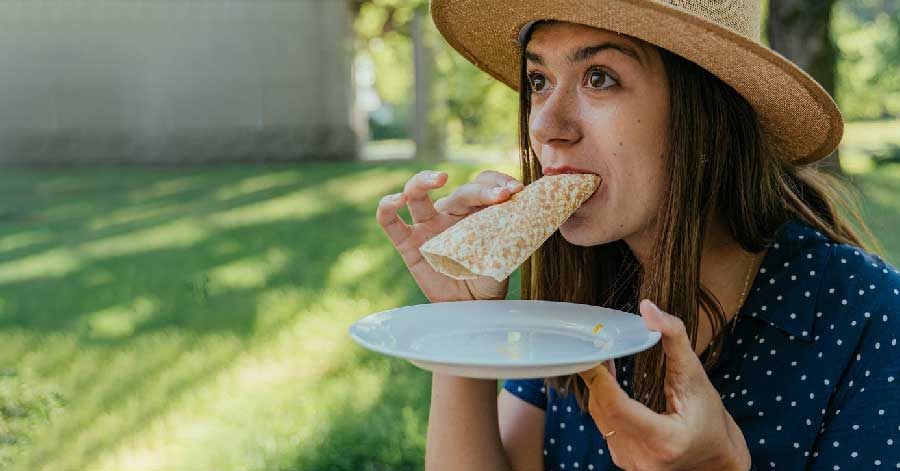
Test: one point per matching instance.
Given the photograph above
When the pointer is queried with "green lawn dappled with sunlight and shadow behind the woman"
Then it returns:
(196, 318)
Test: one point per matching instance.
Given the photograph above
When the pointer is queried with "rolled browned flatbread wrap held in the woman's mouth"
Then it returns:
(497, 239)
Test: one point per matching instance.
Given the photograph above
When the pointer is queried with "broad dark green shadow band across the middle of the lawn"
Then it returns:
(178, 281)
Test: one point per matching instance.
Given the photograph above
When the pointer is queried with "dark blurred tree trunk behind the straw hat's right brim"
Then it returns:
(801, 31)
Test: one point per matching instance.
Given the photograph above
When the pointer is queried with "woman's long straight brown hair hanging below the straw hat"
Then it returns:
(720, 165)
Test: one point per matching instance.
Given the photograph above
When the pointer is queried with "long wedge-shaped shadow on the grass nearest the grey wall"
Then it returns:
(65, 206)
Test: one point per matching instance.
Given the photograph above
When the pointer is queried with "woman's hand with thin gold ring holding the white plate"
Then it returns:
(696, 432)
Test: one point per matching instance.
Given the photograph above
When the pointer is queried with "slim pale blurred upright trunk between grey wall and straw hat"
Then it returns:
(427, 123)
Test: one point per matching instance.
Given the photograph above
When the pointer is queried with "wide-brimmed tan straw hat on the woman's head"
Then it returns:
(722, 36)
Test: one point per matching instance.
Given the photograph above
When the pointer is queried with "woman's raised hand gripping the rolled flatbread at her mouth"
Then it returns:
(430, 219)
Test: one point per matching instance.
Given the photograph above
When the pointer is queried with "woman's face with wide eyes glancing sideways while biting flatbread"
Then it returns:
(599, 104)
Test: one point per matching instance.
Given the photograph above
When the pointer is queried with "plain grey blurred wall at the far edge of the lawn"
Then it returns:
(175, 80)
